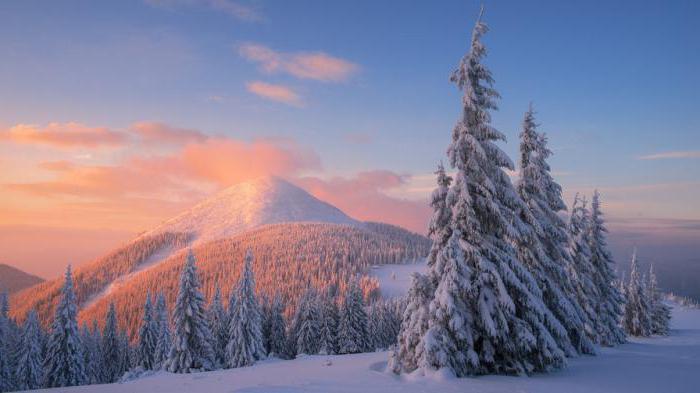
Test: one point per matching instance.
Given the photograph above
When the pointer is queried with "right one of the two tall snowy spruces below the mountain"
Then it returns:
(245, 345)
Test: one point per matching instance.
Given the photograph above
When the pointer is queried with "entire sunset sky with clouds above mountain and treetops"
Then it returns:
(117, 115)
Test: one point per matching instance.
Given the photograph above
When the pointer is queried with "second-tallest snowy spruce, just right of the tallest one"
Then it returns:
(548, 259)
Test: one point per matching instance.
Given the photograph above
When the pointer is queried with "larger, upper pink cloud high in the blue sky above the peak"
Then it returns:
(304, 65)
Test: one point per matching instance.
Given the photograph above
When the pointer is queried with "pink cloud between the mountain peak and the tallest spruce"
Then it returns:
(364, 196)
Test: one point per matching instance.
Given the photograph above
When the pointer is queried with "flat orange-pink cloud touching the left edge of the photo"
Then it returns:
(64, 135)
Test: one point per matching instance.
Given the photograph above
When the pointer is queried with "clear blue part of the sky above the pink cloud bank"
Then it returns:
(612, 81)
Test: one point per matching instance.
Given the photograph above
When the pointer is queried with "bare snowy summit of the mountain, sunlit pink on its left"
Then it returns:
(244, 206)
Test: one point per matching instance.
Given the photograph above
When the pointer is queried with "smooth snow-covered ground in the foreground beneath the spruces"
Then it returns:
(658, 364)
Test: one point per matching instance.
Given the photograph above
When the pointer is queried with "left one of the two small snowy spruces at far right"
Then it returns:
(636, 320)
